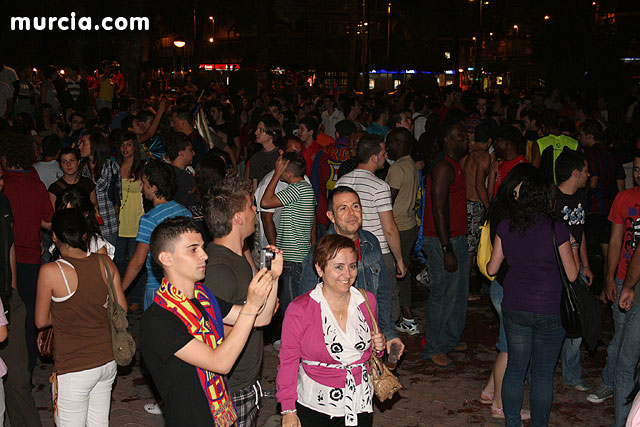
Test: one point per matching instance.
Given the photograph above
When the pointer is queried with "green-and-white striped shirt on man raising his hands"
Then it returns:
(296, 221)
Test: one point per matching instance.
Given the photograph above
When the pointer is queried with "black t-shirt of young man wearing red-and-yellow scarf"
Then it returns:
(162, 334)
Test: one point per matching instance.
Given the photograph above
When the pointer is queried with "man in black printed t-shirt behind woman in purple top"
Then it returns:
(572, 173)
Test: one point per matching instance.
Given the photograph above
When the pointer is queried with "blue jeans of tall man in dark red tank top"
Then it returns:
(448, 293)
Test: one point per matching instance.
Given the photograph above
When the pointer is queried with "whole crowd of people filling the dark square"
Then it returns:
(236, 221)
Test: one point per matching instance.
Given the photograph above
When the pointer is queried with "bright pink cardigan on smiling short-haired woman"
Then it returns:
(303, 338)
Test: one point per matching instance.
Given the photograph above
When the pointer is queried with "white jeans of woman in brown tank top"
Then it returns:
(84, 398)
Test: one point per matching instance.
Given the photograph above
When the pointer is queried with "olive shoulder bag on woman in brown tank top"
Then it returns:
(124, 347)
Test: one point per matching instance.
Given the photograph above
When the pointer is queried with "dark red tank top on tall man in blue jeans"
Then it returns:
(456, 206)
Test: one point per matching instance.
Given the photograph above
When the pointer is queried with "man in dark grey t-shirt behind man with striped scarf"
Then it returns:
(230, 216)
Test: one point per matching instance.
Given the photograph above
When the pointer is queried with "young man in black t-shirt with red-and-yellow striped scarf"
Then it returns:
(182, 336)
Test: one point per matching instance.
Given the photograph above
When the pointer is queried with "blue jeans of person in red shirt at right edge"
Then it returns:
(627, 353)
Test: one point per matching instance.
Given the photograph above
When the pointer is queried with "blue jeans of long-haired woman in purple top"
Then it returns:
(536, 338)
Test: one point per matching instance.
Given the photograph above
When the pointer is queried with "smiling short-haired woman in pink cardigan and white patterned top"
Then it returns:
(326, 341)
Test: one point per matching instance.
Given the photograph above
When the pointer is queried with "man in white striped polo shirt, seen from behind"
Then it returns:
(377, 209)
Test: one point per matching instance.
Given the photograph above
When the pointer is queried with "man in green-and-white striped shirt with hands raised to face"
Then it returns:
(297, 228)
